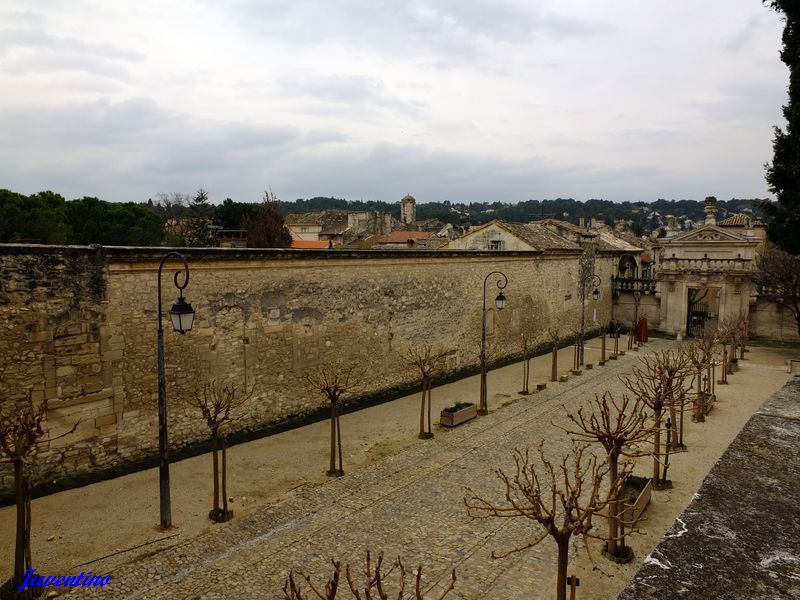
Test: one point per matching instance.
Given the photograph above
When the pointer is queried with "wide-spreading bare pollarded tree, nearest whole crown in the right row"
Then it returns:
(562, 498)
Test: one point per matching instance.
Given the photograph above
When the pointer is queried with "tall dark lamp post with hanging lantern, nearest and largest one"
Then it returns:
(182, 317)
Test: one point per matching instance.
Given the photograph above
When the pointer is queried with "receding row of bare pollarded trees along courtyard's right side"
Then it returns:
(565, 495)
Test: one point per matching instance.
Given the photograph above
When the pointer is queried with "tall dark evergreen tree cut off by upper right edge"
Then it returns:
(783, 176)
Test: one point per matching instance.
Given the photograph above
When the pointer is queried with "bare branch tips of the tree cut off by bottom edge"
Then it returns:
(375, 581)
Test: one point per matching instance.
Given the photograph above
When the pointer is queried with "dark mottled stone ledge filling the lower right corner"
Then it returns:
(738, 537)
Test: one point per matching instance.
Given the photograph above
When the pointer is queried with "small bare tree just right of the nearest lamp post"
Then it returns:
(216, 402)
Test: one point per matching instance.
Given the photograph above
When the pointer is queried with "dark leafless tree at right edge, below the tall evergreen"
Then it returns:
(777, 279)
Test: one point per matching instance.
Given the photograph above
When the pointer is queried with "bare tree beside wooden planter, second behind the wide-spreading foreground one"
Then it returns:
(617, 427)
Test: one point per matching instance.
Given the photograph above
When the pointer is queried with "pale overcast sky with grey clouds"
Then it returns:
(461, 100)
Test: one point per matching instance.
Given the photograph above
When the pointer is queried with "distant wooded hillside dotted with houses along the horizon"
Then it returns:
(643, 217)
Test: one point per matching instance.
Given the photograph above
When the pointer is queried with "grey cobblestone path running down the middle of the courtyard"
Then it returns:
(409, 504)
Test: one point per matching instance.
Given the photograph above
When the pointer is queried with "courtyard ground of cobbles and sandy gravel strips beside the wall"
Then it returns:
(400, 495)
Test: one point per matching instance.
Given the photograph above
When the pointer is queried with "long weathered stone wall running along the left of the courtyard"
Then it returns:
(79, 330)
